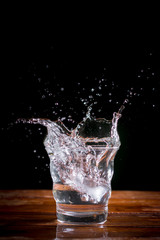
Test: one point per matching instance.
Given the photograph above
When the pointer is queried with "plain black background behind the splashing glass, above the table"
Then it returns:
(49, 50)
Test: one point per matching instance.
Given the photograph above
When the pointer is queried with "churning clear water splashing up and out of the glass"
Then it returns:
(77, 157)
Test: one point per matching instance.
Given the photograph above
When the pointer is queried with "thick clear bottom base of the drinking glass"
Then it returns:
(82, 214)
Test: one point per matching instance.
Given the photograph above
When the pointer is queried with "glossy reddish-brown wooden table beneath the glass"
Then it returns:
(31, 214)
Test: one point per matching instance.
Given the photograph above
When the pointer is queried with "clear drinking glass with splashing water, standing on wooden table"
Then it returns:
(81, 166)
